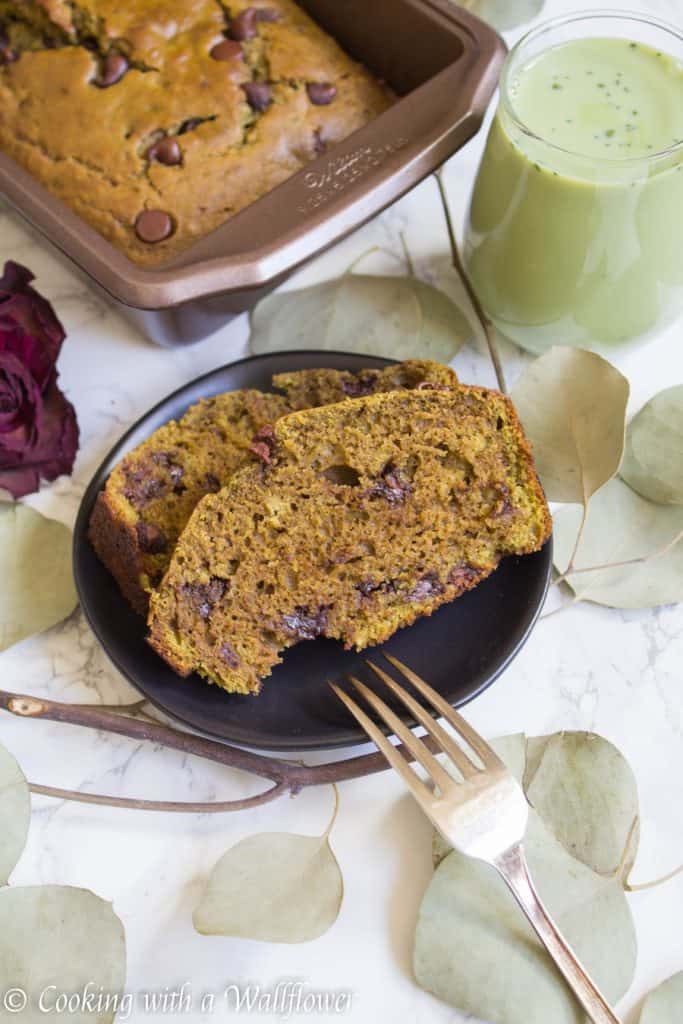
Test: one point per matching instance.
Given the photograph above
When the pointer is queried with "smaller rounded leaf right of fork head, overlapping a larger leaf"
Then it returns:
(586, 793)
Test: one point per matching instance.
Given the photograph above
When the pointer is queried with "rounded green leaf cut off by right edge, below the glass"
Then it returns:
(654, 457)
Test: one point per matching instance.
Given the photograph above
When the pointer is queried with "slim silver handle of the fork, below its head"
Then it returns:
(514, 869)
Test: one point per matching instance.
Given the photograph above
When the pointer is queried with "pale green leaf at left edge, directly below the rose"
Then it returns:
(38, 586)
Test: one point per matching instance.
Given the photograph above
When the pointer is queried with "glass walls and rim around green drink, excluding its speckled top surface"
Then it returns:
(567, 249)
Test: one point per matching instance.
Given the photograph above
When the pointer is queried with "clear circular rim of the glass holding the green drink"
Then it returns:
(557, 23)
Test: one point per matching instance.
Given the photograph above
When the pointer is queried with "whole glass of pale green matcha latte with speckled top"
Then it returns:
(575, 234)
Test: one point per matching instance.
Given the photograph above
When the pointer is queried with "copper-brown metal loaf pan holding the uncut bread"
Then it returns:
(444, 65)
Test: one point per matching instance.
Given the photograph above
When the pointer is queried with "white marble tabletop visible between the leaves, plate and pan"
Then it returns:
(617, 673)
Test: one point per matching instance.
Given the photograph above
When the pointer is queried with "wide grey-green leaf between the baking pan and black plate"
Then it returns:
(401, 318)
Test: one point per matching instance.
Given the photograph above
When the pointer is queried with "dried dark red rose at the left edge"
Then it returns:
(38, 429)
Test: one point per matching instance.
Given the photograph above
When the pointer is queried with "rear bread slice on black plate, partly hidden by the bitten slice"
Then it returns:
(151, 495)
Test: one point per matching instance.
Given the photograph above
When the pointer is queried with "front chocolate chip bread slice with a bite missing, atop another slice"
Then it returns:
(360, 519)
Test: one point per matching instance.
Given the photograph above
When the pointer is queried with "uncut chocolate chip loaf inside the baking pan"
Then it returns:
(192, 109)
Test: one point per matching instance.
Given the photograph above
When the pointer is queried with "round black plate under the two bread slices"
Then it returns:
(461, 650)
